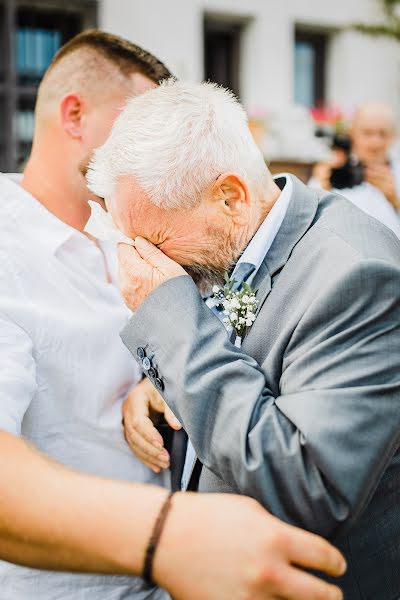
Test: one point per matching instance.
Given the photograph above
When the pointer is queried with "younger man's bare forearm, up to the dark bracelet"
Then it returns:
(53, 518)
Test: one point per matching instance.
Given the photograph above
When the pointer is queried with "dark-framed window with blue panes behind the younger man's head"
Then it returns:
(30, 35)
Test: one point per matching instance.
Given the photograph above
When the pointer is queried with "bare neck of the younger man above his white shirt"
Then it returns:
(61, 193)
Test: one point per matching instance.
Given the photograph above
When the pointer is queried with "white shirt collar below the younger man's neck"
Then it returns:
(39, 222)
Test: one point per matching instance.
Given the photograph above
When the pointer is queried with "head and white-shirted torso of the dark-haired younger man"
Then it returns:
(65, 372)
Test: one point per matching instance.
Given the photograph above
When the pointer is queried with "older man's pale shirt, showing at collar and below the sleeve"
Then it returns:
(254, 254)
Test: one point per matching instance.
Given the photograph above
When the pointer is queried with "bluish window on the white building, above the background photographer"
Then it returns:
(309, 68)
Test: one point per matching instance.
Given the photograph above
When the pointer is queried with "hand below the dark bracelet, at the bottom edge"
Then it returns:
(224, 547)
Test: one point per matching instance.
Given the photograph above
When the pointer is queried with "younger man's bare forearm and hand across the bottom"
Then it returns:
(212, 547)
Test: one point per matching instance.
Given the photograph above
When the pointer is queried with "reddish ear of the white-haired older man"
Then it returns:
(232, 191)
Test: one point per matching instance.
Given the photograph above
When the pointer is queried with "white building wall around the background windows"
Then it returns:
(359, 67)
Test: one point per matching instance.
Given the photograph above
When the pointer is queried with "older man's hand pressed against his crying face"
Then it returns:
(142, 269)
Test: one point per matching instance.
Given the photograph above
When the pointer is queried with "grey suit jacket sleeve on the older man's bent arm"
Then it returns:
(314, 455)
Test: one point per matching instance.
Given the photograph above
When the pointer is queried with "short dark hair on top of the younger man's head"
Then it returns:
(128, 57)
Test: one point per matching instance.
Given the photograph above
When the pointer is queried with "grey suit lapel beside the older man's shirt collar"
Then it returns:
(298, 219)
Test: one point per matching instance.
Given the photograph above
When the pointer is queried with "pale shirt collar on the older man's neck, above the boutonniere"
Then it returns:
(261, 242)
